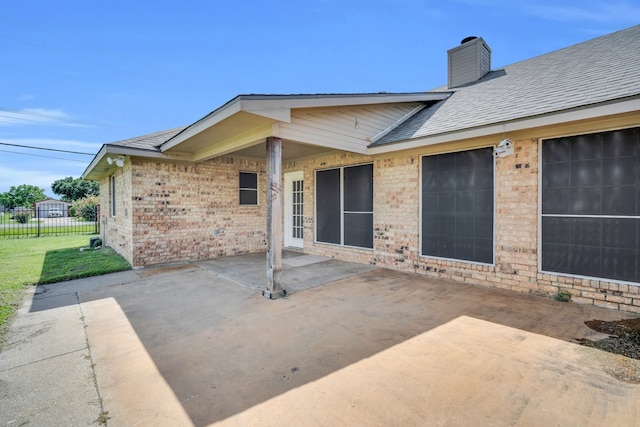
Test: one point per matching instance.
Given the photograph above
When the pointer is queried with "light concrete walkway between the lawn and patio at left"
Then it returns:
(46, 371)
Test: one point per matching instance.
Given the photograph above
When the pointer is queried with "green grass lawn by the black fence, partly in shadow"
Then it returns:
(34, 261)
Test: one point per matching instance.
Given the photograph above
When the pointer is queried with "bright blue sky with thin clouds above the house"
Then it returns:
(78, 74)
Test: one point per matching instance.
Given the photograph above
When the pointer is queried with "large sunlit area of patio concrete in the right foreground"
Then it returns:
(467, 372)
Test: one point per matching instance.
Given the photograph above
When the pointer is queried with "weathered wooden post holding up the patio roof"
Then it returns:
(274, 219)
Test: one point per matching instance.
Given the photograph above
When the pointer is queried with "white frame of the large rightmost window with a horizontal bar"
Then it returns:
(542, 215)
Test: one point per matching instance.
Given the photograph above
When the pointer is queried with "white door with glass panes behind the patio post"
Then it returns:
(293, 209)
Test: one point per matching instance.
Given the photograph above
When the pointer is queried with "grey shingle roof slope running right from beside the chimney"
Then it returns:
(599, 70)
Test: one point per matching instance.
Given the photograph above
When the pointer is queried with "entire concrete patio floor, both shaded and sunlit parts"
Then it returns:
(185, 346)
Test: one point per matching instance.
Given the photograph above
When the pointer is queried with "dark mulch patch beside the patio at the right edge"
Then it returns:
(624, 336)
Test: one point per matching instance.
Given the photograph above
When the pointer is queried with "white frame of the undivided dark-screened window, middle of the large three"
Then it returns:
(494, 210)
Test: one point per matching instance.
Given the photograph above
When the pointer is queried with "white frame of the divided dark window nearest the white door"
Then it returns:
(342, 206)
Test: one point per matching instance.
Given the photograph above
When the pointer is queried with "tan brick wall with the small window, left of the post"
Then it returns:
(184, 212)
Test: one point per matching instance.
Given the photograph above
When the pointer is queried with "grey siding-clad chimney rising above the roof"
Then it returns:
(468, 62)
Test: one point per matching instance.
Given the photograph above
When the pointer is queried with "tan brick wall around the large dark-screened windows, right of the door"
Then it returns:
(397, 230)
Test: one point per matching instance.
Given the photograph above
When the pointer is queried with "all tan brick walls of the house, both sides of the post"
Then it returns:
(175, 212)
